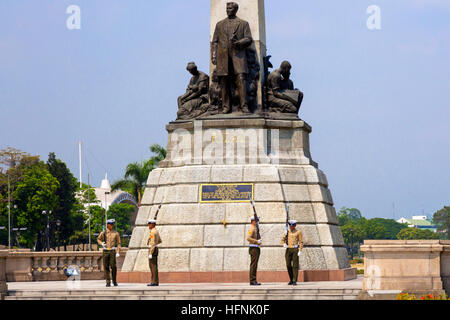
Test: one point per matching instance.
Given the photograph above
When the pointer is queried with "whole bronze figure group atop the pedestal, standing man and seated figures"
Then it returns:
(234, 82)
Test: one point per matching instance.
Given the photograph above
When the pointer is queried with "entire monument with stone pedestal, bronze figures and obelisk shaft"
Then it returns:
(216, 164)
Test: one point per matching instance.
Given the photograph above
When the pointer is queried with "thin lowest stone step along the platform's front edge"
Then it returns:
(255, 296)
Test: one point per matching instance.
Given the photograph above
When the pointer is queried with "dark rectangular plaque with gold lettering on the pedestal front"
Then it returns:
(226, 193)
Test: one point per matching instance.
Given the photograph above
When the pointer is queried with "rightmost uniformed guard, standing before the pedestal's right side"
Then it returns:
(293, 242)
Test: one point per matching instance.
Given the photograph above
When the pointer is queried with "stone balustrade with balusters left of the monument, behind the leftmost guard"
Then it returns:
(50, 266)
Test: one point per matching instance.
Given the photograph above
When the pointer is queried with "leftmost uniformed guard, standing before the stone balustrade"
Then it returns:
(110, 241)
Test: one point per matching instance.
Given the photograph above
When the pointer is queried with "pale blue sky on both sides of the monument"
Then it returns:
(378, 101)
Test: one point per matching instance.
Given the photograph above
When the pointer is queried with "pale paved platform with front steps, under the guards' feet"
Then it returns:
(90, 290)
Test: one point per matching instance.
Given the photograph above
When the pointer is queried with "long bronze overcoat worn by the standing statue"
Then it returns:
(226, 31)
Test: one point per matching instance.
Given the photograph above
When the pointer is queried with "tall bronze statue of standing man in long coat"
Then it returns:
(231, 39)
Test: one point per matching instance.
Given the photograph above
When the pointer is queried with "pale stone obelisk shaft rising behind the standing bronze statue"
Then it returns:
(252, 11)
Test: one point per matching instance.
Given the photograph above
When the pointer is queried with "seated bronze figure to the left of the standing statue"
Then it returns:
(196, 98)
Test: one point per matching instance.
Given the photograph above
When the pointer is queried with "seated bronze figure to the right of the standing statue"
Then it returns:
(281, 95)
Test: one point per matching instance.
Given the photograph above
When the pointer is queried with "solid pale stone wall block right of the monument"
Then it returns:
(412, 266)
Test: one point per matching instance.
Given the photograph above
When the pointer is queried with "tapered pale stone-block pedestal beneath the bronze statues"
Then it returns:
(207, 241)
